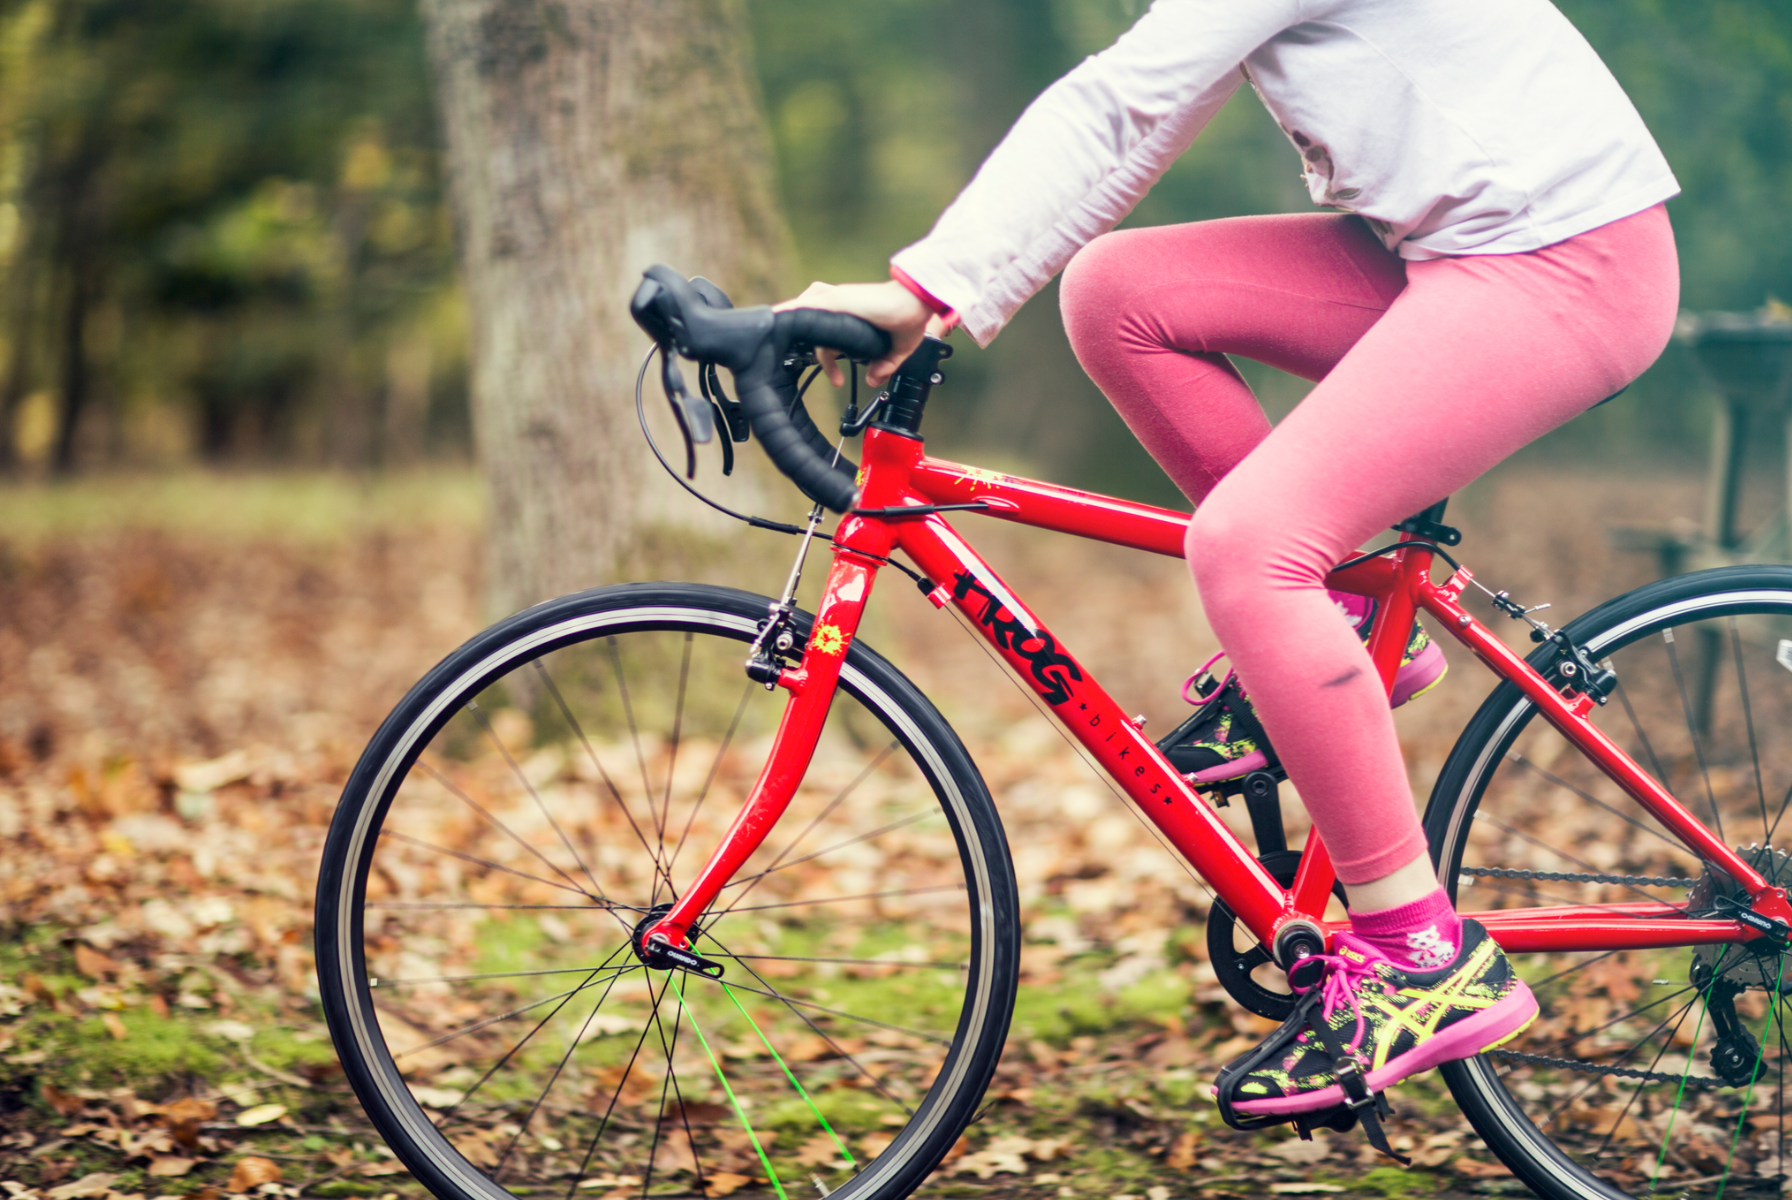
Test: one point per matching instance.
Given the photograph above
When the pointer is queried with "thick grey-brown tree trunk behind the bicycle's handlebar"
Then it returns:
(589, 139)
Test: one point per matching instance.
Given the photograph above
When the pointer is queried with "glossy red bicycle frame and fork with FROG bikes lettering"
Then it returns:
(897, 477)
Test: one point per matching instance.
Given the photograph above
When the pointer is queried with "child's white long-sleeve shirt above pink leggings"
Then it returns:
(1452, 126)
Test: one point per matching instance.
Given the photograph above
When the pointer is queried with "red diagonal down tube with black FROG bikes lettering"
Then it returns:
(1098, 723)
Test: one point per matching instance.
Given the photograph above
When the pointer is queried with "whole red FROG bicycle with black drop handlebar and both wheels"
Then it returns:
(673, 889)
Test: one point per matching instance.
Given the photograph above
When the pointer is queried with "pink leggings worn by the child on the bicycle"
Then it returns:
(1429, 373)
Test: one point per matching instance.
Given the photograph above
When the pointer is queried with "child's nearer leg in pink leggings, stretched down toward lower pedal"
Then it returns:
(1476, 359)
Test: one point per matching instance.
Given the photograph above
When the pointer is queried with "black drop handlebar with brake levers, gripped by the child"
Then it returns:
(694, 320)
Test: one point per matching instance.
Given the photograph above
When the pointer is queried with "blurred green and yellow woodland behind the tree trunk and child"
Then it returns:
(223, 225)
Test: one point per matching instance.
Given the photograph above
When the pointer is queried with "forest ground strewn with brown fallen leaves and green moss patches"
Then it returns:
(193, 665)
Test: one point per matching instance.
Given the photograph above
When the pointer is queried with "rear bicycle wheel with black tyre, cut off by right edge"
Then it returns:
(1705, 703)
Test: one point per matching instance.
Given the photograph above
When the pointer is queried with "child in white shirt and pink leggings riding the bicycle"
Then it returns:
(1499, 261)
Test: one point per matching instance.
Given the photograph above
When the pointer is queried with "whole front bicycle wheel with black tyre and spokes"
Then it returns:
(517, 816)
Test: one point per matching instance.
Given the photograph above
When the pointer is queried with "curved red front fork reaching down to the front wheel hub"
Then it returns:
(811, 687)
